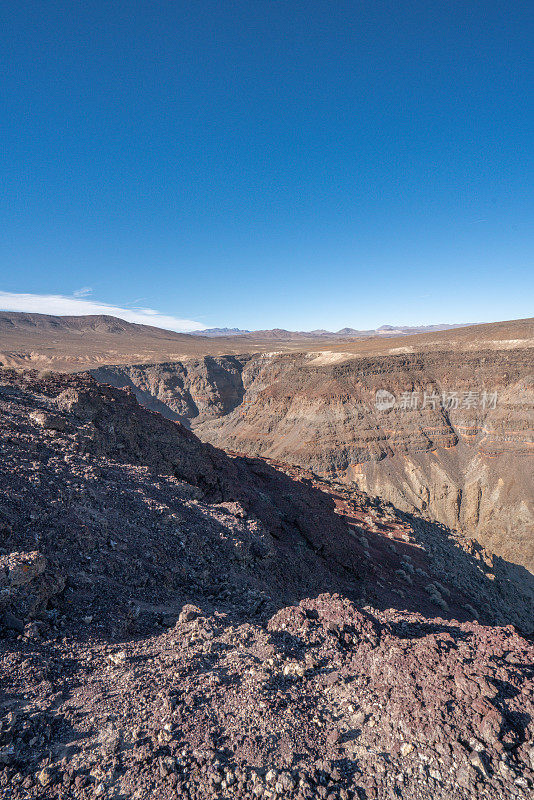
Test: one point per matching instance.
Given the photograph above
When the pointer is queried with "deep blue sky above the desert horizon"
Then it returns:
(269, 163)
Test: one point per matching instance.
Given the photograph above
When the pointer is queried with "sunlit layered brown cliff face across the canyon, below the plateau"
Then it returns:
(452, 438)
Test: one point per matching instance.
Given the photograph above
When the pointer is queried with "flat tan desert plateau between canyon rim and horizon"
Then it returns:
(70, 344)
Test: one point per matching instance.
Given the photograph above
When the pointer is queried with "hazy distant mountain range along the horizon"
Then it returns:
(344, 333)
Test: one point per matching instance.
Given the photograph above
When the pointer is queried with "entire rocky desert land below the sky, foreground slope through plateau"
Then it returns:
(302, 573)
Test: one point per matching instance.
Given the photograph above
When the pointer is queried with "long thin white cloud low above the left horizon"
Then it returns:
(62, 305)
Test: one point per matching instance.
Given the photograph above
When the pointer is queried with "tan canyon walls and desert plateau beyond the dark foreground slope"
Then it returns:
(463, 458)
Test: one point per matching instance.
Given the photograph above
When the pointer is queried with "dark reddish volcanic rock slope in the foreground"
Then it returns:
(179, 622)
